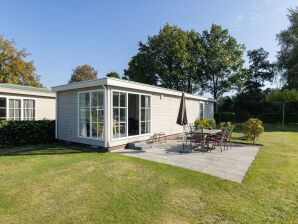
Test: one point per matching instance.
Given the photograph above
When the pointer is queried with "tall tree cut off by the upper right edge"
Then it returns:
(287, 57)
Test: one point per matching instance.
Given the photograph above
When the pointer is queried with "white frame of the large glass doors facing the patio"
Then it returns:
(126, 127)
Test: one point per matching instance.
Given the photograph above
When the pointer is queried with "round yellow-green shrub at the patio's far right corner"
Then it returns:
(252, 128)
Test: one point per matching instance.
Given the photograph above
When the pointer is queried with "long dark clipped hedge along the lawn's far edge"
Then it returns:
(265, 117)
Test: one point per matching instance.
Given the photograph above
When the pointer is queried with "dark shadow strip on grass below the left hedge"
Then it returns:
(45, 150)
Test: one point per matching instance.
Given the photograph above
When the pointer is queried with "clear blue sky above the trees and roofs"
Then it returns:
(61, 34)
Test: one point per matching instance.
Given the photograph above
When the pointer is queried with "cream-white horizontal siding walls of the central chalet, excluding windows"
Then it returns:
(163, 118)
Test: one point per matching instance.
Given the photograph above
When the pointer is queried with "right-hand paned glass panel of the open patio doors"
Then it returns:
(145, 114)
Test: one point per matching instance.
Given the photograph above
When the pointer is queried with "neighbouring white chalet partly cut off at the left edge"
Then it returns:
(26, 103)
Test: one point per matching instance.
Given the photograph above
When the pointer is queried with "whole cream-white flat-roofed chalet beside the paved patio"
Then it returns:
(112, 112)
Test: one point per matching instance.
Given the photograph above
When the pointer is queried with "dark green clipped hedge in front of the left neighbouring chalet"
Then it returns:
(17, 133)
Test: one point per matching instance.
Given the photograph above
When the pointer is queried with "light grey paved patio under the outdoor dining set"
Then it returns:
(230, 164)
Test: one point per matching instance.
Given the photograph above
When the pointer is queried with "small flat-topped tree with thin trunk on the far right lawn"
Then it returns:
(283, 96)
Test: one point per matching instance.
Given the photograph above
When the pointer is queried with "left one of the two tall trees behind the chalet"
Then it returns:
(169, 59)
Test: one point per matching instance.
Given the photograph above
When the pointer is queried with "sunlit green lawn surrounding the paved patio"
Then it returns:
(59, 185)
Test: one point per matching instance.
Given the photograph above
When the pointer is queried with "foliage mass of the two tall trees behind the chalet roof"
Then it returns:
(175, 59)
